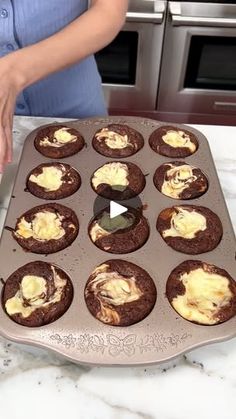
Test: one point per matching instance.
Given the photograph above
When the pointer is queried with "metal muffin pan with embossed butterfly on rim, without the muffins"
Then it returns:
(77, 335)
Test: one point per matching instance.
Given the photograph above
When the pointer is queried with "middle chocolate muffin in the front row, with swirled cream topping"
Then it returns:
(120, 293)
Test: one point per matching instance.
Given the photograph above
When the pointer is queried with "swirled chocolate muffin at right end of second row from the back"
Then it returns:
(180, 180)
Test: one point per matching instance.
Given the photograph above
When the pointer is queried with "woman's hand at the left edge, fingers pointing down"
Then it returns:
(10, 87)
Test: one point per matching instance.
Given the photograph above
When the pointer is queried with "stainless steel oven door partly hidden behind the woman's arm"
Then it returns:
(129, 66)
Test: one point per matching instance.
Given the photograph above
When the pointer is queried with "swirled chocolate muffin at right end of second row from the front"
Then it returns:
(190, 229)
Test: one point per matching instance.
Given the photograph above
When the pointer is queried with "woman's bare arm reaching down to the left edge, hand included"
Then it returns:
(85, 35)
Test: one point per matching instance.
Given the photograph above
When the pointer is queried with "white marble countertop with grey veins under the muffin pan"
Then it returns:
(201, 383)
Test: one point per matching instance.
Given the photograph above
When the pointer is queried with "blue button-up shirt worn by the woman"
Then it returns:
(75, 92)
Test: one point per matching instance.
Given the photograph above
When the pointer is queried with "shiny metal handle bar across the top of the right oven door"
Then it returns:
(180, 20)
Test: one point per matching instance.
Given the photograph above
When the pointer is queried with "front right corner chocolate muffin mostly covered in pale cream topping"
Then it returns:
(202, 293)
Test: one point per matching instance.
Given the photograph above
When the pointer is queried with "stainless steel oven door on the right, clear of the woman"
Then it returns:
(198, 74)
